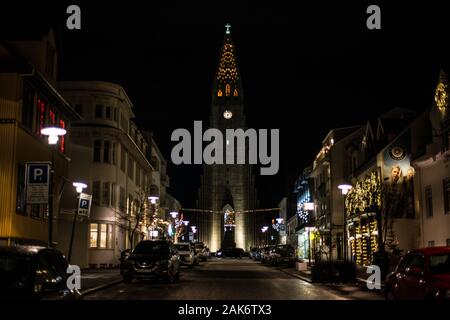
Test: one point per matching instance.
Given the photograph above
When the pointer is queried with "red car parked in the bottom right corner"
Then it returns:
(421, 274)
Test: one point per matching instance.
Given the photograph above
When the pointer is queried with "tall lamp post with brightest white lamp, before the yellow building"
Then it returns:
(53, 134)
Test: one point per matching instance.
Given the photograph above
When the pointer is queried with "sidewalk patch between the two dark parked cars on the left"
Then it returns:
(97, 279)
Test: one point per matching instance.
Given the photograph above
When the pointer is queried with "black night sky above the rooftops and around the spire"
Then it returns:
(306, 68)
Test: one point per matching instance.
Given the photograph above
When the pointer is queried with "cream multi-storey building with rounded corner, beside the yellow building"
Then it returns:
(111, 156)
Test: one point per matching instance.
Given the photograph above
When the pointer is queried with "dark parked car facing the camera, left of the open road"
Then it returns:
(152, 259)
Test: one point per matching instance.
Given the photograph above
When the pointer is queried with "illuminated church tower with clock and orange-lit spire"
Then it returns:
(227, 189)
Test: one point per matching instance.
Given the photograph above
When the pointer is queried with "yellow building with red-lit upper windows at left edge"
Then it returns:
(29, 102)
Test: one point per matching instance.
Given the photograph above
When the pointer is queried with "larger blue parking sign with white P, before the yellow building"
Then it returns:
(37, 182)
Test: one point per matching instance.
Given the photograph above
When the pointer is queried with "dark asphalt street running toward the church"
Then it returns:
(232, 279)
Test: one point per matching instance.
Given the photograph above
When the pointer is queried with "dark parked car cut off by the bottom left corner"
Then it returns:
(34, 272)
